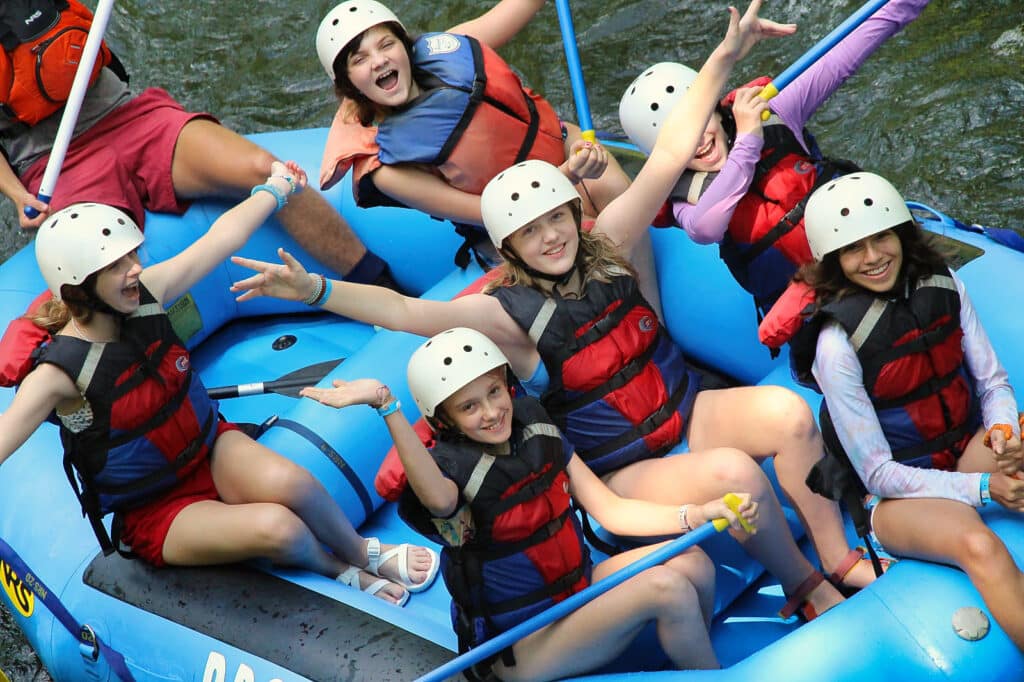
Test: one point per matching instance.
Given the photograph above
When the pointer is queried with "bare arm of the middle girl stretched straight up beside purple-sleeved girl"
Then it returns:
(626, 220)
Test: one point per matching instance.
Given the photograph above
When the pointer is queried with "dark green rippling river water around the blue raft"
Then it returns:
(937, 111)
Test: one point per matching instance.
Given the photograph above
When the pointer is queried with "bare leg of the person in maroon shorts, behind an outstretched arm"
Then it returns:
(214, 161)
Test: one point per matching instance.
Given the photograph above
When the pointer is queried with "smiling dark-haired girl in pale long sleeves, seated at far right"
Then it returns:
(915, 398)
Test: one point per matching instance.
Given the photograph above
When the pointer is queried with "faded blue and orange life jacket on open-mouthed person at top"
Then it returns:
(474, 120)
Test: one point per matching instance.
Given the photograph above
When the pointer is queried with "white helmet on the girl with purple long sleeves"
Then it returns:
(650, 99)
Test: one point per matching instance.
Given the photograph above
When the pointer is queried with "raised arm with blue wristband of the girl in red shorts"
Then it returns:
(176, 276)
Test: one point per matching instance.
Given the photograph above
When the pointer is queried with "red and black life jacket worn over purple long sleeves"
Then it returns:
(765, 244)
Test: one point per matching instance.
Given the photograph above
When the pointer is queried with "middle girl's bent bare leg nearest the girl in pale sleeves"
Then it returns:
(769, 421)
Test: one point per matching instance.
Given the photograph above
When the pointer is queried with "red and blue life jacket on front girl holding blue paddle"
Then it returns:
(524, 550)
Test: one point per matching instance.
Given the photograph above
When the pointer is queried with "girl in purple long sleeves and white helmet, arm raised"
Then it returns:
(747, 186)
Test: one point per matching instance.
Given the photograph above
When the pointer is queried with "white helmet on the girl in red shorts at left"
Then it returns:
(83, 239)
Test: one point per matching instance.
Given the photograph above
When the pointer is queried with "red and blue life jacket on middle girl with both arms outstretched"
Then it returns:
(620, 389)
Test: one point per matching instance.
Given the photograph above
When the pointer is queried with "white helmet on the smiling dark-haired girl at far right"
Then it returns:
(850, 208)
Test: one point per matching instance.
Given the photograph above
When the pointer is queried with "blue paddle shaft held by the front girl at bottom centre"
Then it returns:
(564, 609)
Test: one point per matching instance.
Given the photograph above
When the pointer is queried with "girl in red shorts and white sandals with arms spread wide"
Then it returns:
(147, 443)
